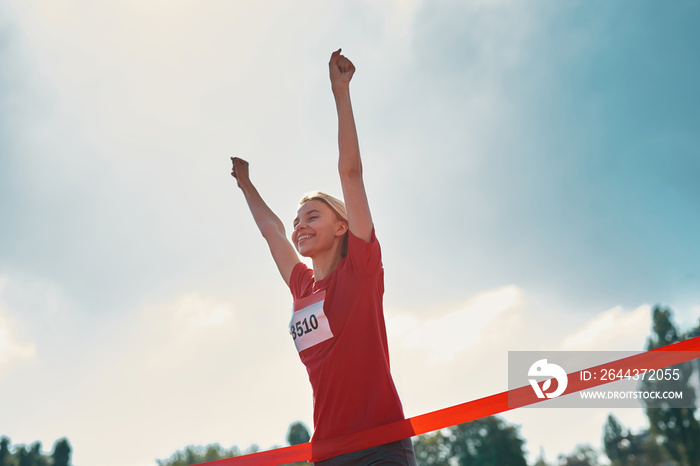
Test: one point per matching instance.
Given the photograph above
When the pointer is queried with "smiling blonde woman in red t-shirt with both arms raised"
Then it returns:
(338, 321)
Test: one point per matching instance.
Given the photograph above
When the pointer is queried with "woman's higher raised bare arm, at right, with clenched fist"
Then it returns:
(349, 162)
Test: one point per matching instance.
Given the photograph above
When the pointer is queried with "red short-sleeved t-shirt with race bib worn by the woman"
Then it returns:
(338, 328)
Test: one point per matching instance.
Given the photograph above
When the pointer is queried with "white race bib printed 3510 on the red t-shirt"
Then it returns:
(309, 325)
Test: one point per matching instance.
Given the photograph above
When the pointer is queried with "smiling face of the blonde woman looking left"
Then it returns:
(316, 228)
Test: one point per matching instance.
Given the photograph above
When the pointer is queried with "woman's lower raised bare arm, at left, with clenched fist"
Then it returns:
(269, 224)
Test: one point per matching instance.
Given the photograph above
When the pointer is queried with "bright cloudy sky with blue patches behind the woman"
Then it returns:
(531, 167)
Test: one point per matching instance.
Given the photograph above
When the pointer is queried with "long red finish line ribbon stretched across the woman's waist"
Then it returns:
(655, 359)
